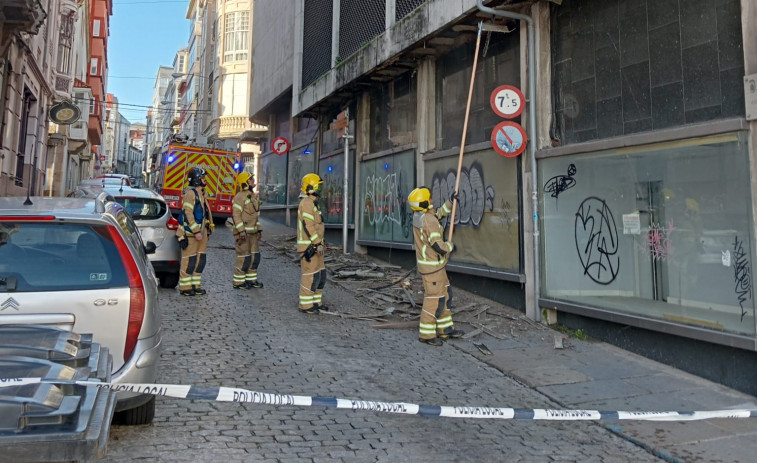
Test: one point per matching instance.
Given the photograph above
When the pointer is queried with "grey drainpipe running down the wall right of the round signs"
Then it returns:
(532, 45)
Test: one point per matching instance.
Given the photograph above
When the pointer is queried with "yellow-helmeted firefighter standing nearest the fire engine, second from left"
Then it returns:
(247, 232)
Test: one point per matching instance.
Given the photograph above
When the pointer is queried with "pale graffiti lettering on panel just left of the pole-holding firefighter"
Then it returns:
(385, 202)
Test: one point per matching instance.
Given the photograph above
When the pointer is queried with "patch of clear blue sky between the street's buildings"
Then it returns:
(144, 34)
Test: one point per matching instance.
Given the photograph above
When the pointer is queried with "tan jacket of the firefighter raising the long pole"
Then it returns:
(427, 233)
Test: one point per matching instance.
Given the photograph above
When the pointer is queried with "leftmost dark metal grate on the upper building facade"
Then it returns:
(316, 40)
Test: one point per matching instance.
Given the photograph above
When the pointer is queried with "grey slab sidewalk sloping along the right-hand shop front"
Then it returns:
(598, 376)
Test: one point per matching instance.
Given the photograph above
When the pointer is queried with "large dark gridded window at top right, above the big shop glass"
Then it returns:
(627, 67)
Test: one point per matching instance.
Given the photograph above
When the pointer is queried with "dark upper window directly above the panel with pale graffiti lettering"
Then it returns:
(394, 113)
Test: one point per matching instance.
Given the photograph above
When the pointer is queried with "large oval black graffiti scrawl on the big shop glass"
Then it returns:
(597, 240)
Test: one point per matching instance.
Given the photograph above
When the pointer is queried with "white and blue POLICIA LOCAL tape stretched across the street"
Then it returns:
(230, 394)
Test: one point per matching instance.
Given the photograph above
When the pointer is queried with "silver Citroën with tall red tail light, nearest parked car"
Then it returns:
(81, 265)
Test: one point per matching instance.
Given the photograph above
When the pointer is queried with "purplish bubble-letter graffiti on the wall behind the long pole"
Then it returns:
(474, 197)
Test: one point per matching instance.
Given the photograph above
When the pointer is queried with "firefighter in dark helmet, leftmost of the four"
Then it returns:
(196, 225)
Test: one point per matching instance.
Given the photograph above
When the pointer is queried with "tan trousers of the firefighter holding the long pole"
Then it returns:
(436, 318)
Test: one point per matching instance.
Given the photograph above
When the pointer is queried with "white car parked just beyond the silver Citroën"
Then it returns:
(155, 222)
